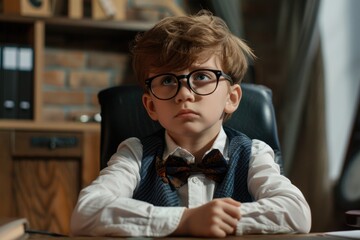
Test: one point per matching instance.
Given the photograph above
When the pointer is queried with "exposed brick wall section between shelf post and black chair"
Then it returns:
(73, 78)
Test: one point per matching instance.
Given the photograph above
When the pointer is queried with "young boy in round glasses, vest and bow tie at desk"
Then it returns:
(190, 68)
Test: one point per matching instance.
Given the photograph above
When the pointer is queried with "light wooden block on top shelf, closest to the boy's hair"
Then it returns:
(109, 9)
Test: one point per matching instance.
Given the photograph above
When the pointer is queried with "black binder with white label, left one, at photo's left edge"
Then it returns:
(9, 75)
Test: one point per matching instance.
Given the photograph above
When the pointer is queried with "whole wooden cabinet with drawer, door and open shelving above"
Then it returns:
(44, 164)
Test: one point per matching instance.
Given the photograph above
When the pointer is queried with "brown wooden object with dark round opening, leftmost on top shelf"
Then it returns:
(27, 7)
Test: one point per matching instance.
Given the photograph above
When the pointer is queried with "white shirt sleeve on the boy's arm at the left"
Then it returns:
(106, 207)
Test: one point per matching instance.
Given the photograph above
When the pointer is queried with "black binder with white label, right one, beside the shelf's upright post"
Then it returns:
(25, 83)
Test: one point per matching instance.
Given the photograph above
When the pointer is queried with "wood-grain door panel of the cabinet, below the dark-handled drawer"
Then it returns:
(45, 191)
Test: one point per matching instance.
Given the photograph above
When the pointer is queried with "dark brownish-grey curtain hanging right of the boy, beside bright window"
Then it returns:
(302, 115)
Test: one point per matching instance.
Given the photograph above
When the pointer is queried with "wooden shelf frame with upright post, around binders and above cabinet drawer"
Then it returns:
(63, 33)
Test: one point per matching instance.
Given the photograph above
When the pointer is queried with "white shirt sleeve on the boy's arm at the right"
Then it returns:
(279, 206)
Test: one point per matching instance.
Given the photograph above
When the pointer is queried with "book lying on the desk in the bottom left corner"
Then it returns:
(13, 228)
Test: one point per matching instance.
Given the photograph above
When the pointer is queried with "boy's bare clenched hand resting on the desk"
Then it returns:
(217, 218)
